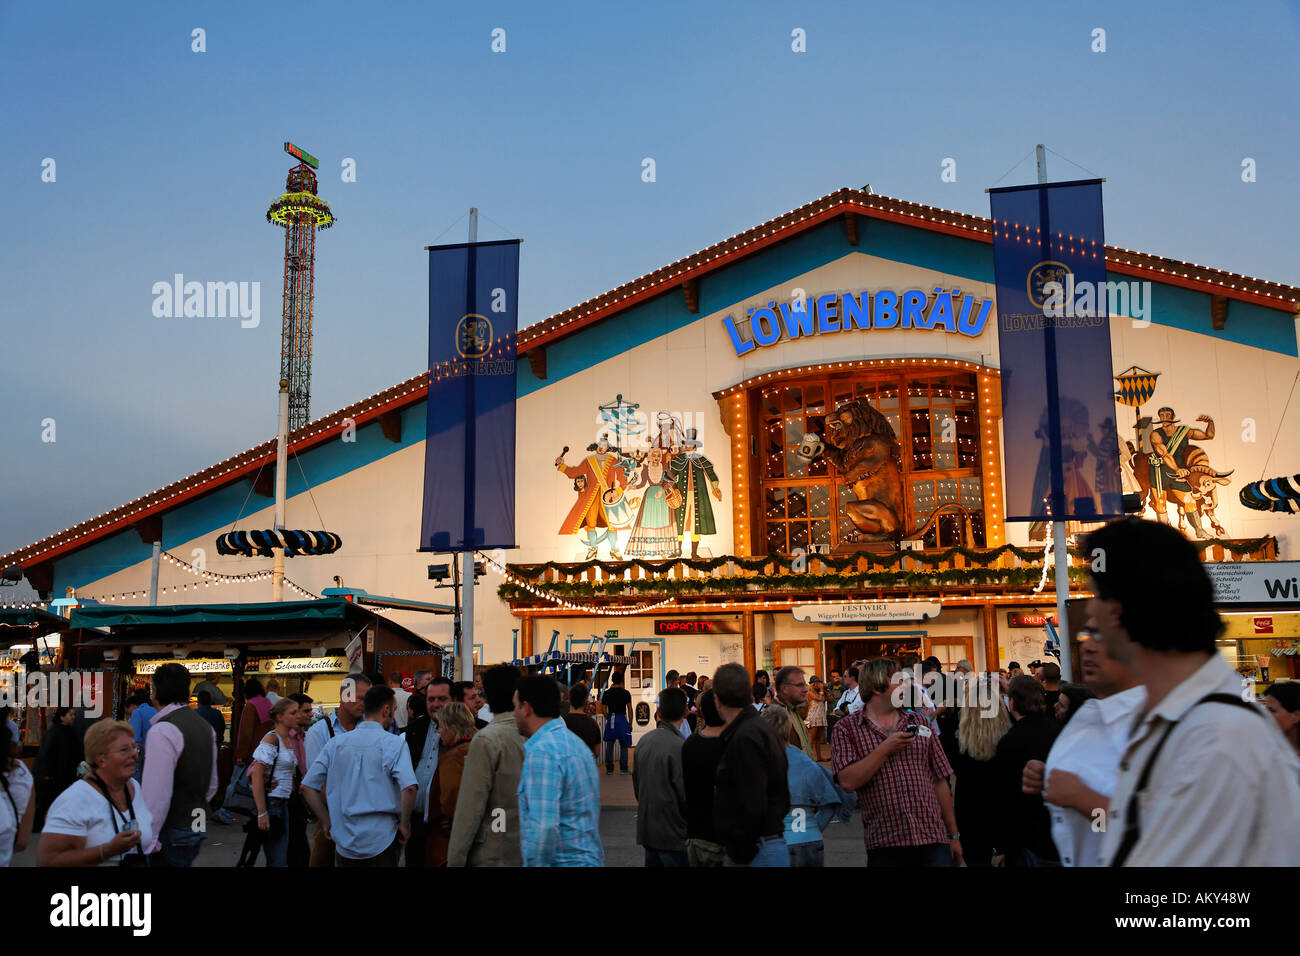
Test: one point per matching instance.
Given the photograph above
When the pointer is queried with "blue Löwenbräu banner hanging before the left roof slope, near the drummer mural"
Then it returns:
(470, 439)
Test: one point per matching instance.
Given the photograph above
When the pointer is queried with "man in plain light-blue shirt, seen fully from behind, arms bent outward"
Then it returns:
(372, 789)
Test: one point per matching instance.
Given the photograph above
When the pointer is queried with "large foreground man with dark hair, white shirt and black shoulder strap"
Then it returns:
(1206, 781)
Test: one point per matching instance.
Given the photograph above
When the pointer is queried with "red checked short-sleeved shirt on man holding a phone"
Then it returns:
(899, 803)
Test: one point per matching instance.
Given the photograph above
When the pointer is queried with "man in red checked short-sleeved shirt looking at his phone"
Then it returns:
(894, 759)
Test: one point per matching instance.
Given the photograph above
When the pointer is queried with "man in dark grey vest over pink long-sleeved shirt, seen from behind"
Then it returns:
(181, 776)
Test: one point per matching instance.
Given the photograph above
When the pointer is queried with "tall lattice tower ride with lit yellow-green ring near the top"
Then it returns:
(300, 213)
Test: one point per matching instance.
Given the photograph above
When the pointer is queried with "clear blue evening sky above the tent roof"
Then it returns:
(167, 161)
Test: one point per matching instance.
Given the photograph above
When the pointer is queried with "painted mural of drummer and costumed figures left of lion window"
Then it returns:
(653, 485)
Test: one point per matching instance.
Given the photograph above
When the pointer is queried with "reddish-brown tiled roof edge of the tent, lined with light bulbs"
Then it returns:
(673, 278)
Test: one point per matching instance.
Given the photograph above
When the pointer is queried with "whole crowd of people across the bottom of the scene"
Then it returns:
(1158, 758)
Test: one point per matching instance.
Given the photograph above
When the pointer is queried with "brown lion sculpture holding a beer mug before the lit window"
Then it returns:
(863, 448)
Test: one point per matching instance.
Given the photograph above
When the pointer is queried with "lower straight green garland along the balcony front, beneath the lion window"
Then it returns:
(912, 581)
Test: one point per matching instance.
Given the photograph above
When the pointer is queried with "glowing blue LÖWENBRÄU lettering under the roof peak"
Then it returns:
(944, 310)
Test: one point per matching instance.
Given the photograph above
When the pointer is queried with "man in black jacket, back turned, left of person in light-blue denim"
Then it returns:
(752, 794)
